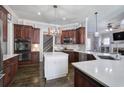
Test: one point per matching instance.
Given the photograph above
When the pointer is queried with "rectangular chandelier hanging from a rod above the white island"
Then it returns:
(55, 30)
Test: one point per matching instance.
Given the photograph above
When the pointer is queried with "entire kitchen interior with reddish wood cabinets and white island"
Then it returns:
(50, 49)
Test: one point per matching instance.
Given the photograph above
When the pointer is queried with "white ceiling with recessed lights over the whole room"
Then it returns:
(72, 13)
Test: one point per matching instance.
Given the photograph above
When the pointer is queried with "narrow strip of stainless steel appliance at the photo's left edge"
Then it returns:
(1, 54)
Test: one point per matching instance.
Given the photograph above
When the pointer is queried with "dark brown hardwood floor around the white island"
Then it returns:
(32, 76)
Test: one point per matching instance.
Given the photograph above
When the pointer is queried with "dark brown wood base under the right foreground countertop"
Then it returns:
(82, 80)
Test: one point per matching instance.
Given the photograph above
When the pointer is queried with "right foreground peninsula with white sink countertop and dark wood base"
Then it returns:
(99, 72)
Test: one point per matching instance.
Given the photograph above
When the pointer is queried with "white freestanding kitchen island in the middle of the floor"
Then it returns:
(55, 65)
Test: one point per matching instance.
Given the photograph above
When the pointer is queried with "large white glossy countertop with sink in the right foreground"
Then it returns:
(106, 72)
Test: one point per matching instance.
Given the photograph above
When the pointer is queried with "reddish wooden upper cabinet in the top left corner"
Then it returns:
(3, 17)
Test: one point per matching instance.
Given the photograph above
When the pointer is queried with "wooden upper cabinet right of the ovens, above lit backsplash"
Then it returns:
(36, 36)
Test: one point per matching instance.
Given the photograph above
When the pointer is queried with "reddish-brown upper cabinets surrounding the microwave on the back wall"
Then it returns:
(74, 36)
